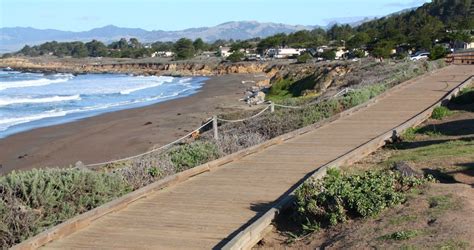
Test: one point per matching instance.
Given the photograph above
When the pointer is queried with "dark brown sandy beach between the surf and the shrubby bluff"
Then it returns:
(123, 133)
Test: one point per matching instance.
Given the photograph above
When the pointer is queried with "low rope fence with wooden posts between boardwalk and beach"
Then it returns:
(214, 121)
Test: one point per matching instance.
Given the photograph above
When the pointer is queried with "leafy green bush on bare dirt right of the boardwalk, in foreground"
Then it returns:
(338, 196)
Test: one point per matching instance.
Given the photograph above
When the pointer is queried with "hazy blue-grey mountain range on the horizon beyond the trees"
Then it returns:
(15, 38)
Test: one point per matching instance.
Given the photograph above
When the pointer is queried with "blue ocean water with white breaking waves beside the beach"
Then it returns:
(33, 100)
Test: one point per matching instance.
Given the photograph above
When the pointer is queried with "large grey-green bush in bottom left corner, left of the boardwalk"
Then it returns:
(34, 200)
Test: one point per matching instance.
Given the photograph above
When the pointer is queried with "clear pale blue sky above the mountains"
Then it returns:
(81, 15)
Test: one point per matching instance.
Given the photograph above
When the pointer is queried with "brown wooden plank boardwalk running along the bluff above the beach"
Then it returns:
(207, 210)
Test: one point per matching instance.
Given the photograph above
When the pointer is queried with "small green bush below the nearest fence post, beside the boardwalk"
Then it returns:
(193, 154)
